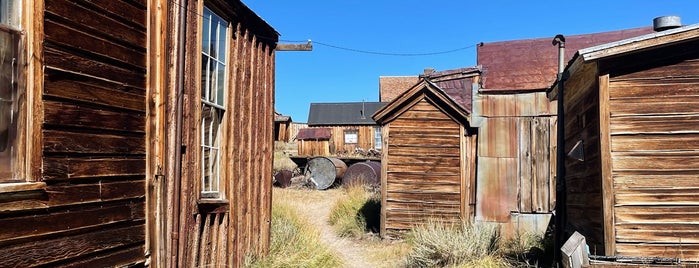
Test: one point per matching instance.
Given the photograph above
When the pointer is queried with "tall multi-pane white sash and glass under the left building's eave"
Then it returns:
(213, 84)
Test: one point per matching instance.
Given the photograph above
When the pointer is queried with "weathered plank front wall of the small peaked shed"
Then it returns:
(423, 175)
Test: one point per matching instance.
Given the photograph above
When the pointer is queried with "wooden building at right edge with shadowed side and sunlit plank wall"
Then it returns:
(632, 117)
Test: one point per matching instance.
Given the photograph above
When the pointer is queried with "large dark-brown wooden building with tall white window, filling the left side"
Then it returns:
(119, 148)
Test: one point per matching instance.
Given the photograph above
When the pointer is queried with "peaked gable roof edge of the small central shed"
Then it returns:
(425, 89)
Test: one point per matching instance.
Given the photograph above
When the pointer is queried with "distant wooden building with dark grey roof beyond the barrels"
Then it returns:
(351, 128)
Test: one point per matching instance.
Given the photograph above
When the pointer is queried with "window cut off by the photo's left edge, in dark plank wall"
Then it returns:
(9, 88)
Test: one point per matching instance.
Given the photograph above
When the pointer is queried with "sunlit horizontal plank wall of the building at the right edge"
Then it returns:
(654, 130)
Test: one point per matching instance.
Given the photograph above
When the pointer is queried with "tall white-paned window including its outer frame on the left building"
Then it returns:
(212, 103)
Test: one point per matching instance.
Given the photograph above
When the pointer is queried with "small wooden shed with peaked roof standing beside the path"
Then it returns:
(428, 159)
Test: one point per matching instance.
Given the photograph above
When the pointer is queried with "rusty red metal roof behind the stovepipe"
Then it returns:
(532, 64)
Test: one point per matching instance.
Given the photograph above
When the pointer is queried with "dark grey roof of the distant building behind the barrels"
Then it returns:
(346, 113)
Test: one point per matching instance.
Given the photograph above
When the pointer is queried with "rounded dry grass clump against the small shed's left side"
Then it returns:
(356, 213)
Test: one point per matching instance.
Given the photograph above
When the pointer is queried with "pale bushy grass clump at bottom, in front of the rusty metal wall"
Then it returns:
(437, 244)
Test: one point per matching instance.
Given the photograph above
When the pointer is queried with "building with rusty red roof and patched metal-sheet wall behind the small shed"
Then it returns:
(516, 126)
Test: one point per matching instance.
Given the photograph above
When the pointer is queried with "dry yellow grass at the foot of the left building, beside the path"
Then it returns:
(295, 243)
